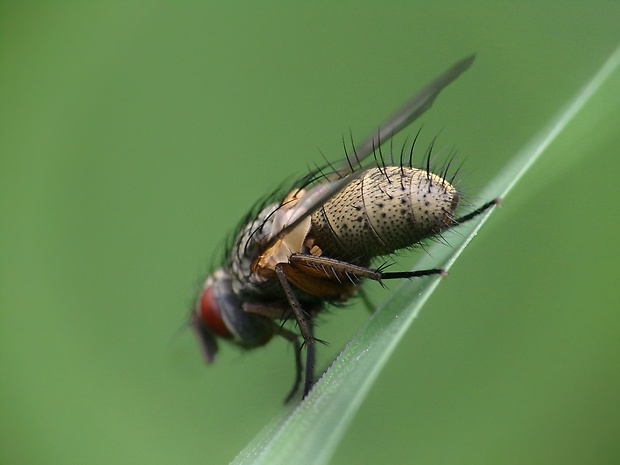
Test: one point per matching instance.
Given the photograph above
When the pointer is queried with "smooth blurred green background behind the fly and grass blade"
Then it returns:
(134, 136)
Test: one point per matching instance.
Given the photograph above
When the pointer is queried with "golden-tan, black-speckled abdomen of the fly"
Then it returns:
(385, 210)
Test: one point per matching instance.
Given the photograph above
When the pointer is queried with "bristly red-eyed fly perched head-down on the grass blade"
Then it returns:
(315, 246)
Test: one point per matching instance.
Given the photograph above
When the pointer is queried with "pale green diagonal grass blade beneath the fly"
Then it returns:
(309, 432)
